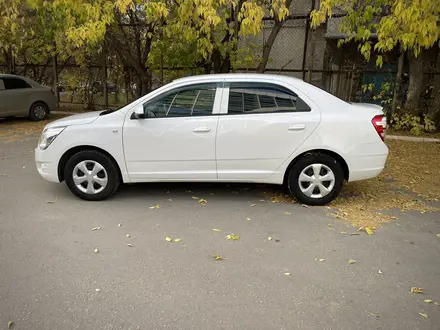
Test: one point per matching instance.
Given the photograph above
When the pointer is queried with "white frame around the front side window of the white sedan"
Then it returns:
(215, 108)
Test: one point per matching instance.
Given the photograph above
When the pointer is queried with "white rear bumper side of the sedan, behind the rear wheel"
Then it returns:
(366, 167)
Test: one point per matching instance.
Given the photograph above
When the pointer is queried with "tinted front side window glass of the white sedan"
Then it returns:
(195, 100)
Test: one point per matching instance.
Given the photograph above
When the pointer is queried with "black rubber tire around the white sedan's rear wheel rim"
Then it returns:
(301, 165)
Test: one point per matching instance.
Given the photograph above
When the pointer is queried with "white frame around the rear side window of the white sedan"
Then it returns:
(226, 90)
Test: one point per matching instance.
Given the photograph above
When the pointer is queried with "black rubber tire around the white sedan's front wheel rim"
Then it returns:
(111, 172)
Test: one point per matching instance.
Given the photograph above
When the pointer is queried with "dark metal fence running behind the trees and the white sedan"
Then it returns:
(298, 51)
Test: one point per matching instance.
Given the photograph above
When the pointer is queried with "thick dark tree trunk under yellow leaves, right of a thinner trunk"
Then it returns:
(415, 83)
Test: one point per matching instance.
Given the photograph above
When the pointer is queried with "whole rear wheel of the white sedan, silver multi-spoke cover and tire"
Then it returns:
(316, 179)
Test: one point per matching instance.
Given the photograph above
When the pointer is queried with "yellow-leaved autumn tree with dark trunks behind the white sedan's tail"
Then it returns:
(410, 25)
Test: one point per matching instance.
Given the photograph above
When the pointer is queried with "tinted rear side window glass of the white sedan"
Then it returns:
(263, 98)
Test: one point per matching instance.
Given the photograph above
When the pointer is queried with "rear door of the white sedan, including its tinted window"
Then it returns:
(263, 127)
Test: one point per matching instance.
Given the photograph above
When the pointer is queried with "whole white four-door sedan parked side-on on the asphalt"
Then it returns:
(220, 128)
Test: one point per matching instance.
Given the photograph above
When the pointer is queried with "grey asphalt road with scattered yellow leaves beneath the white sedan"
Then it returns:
(49, 272)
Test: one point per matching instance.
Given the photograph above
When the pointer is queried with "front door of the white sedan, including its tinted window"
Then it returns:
(177, 140)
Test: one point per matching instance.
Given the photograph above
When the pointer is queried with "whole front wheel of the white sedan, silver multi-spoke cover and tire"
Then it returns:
(91, 175)
